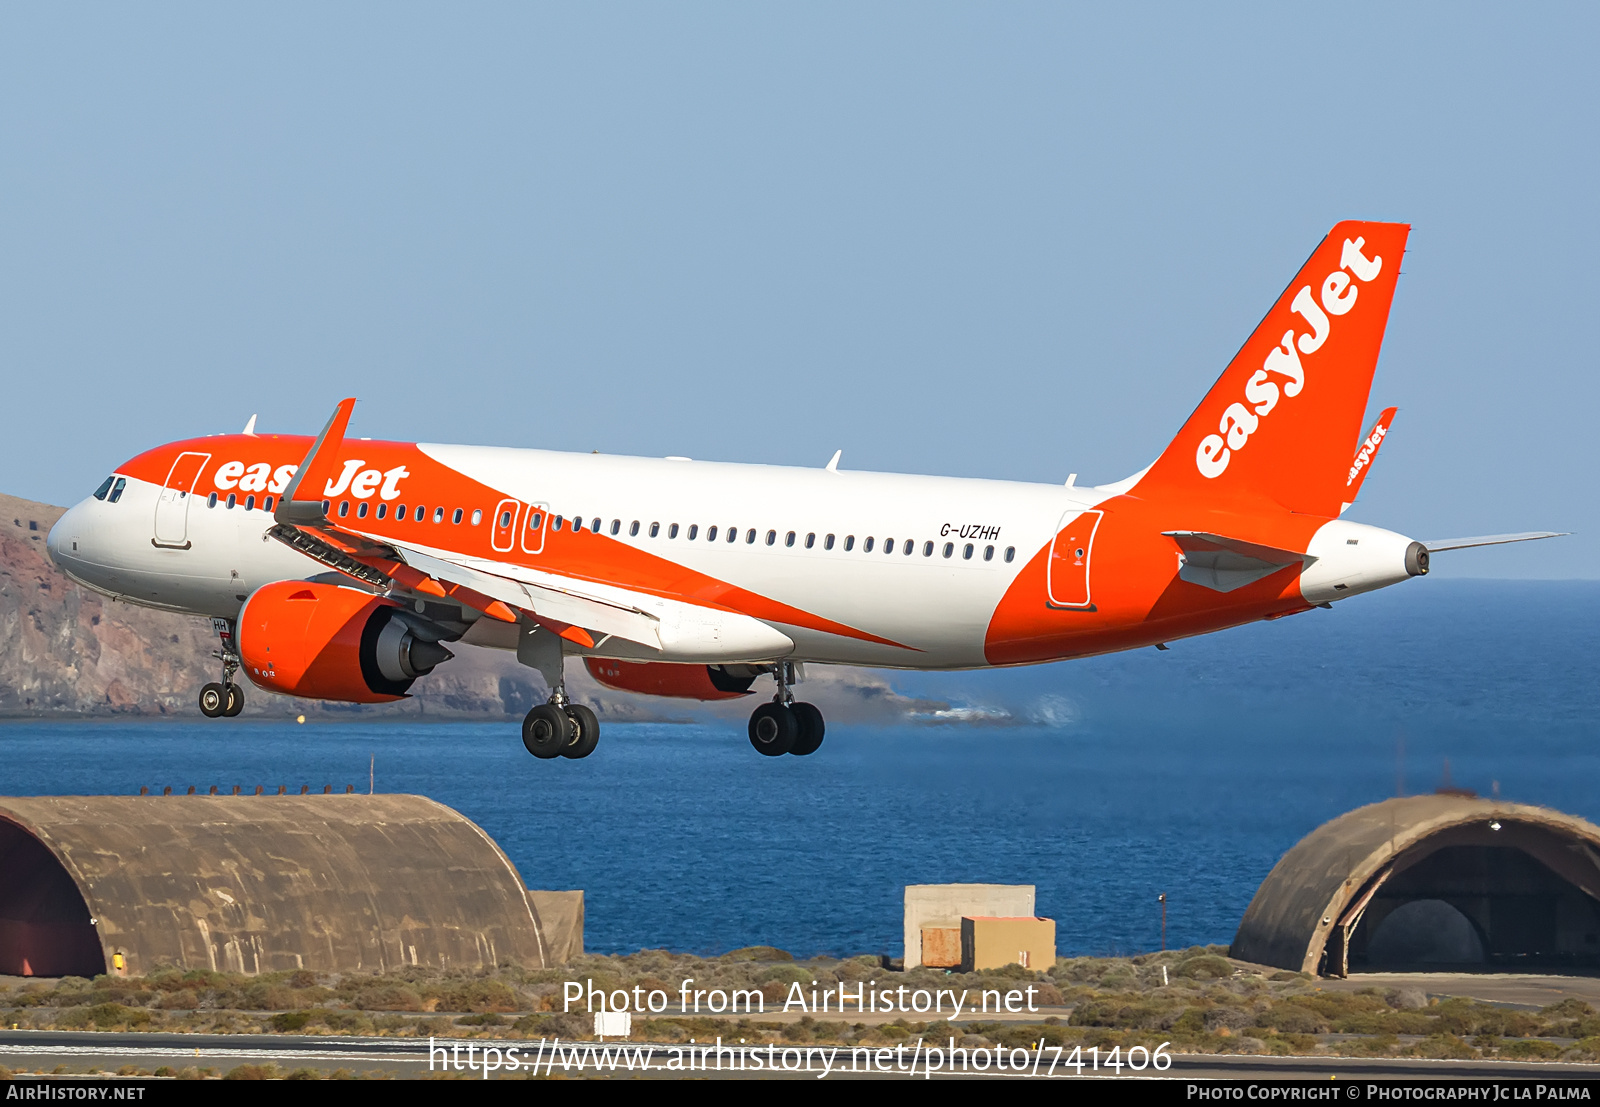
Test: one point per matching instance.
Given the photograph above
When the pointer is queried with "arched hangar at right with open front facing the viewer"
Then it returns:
(1431, 882)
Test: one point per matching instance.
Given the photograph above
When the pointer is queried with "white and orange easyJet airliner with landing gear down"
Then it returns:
(343, 569)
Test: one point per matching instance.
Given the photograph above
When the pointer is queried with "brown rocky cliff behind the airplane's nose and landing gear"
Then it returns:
(71, 652)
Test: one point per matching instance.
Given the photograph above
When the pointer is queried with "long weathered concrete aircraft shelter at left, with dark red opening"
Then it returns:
(257, 884)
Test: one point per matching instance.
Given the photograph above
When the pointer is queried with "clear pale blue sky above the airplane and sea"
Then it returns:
(1004, 241)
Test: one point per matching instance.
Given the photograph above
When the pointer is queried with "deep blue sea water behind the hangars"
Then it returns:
(1103, 781)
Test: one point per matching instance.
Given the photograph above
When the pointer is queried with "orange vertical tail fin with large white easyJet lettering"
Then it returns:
(1287, 414)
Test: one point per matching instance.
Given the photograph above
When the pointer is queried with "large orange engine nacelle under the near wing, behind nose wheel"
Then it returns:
(327, 642)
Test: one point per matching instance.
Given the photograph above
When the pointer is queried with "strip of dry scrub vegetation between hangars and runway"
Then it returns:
(1198, 1001)
